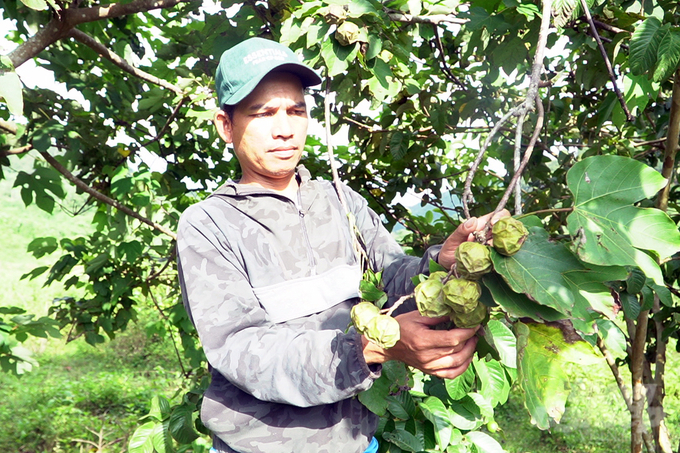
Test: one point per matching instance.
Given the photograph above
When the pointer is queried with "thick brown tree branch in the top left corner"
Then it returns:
(60, 27)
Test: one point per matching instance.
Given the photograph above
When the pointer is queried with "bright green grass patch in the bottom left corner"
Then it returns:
(80, 393)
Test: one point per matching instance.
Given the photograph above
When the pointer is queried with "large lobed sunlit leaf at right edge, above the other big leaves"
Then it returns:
(607, 229)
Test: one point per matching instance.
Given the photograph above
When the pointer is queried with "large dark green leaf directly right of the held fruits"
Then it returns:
(549, 274)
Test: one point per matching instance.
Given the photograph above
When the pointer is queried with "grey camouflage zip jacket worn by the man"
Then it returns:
(269, 284)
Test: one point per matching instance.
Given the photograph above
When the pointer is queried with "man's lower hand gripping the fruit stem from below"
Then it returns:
(442, 353)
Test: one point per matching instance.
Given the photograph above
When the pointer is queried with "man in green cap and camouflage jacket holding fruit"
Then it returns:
(268, 276)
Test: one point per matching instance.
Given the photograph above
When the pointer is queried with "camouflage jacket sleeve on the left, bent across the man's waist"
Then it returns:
(285, 363)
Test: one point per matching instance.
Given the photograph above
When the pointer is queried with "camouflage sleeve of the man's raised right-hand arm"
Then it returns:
(387, 255)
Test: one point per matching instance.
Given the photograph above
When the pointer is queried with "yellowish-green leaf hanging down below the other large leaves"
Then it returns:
(543, 354)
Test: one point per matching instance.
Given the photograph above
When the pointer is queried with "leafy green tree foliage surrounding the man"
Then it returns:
(418, 88)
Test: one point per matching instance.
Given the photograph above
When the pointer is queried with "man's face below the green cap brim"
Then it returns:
(268, 131)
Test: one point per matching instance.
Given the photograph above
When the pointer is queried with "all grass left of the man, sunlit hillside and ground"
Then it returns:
(80, 398)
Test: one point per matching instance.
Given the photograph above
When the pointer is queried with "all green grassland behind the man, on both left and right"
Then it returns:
(83, 398)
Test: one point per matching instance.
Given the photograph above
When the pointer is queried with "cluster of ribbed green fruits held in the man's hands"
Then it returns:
(443, 294)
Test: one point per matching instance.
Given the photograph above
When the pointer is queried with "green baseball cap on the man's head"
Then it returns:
(243, 66)
